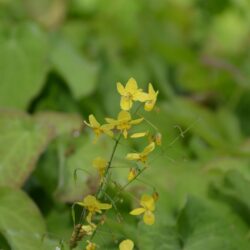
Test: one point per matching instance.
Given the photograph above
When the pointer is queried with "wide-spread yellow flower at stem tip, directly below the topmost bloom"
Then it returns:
(124, 122)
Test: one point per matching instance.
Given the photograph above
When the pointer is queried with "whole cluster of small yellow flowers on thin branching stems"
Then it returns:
(121, 128)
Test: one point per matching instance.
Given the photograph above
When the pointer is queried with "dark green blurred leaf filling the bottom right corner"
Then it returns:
(202, 227)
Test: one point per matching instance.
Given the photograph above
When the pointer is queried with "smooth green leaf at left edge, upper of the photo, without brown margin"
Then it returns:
(22, 66)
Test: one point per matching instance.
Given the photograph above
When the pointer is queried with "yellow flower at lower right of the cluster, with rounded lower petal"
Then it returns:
(147, 207)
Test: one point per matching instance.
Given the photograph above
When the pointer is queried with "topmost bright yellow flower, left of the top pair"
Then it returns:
(130, 93)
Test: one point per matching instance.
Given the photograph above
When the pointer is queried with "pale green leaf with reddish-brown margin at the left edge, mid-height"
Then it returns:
(21, 143)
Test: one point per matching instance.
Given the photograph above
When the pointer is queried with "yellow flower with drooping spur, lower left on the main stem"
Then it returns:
(93, 205)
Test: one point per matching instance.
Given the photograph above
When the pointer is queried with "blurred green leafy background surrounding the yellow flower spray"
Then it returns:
(59, 62)
